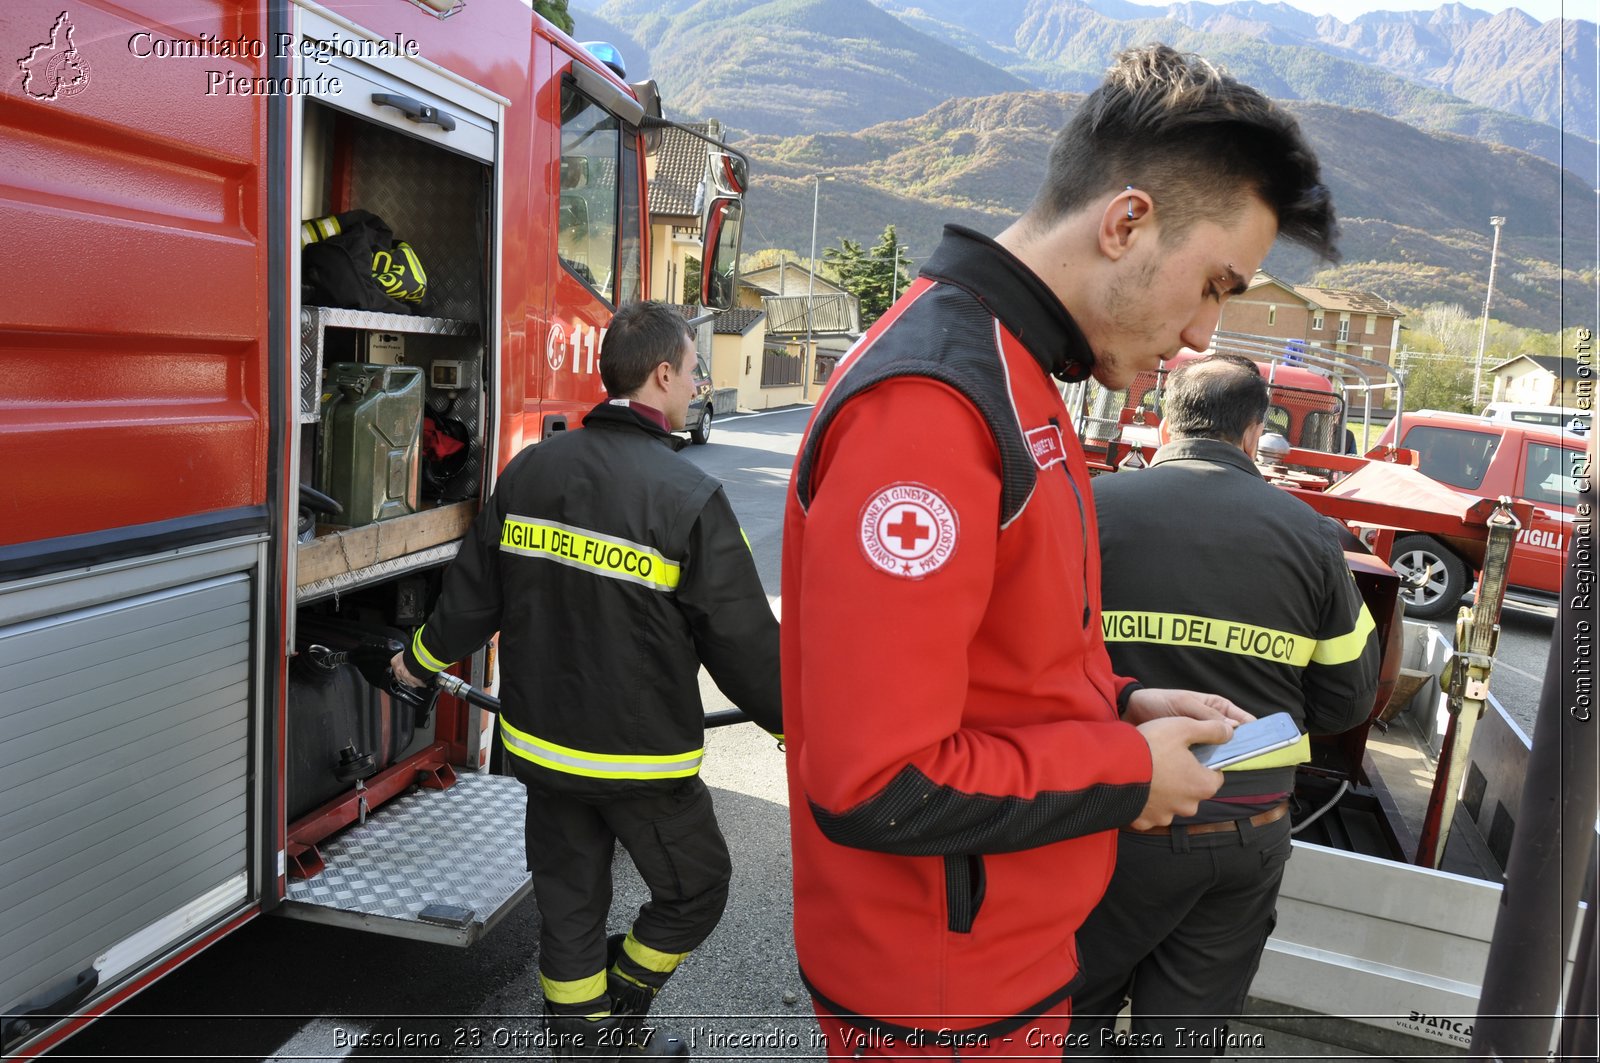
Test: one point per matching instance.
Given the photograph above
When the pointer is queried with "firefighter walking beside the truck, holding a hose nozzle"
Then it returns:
(614, 569)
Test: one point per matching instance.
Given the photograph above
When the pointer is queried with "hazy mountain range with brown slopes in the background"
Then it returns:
(929, 111)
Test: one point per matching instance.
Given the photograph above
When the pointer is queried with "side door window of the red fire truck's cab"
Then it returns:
(588, 217)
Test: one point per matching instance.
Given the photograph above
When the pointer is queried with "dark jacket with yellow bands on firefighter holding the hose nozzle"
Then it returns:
(614, 569)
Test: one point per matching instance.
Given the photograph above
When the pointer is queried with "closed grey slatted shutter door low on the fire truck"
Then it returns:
(126, 787)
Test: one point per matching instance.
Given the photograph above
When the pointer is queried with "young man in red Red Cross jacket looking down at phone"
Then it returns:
(961, 750)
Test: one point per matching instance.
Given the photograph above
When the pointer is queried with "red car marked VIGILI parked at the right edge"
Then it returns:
(1489, 459)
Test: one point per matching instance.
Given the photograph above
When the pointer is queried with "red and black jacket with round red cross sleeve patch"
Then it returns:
(956, 758)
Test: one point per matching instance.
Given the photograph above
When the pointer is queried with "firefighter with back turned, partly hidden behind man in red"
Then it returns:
(1220, 582)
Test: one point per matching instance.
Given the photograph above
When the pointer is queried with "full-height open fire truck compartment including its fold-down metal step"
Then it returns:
(394, 427)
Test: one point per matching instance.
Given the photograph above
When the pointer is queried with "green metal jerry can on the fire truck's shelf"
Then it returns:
(372, 431)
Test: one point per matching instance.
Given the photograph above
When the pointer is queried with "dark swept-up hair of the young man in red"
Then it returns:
(1198, 140)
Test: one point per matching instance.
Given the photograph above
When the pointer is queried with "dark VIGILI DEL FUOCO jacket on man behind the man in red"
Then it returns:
(1217, 580)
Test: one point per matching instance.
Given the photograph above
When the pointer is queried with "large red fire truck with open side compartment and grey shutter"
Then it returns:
(225, 484)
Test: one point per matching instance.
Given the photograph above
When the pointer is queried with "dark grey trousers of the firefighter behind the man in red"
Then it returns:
(1182, 933)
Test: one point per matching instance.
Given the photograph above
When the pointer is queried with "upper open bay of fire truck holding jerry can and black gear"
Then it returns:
(362, 428)
